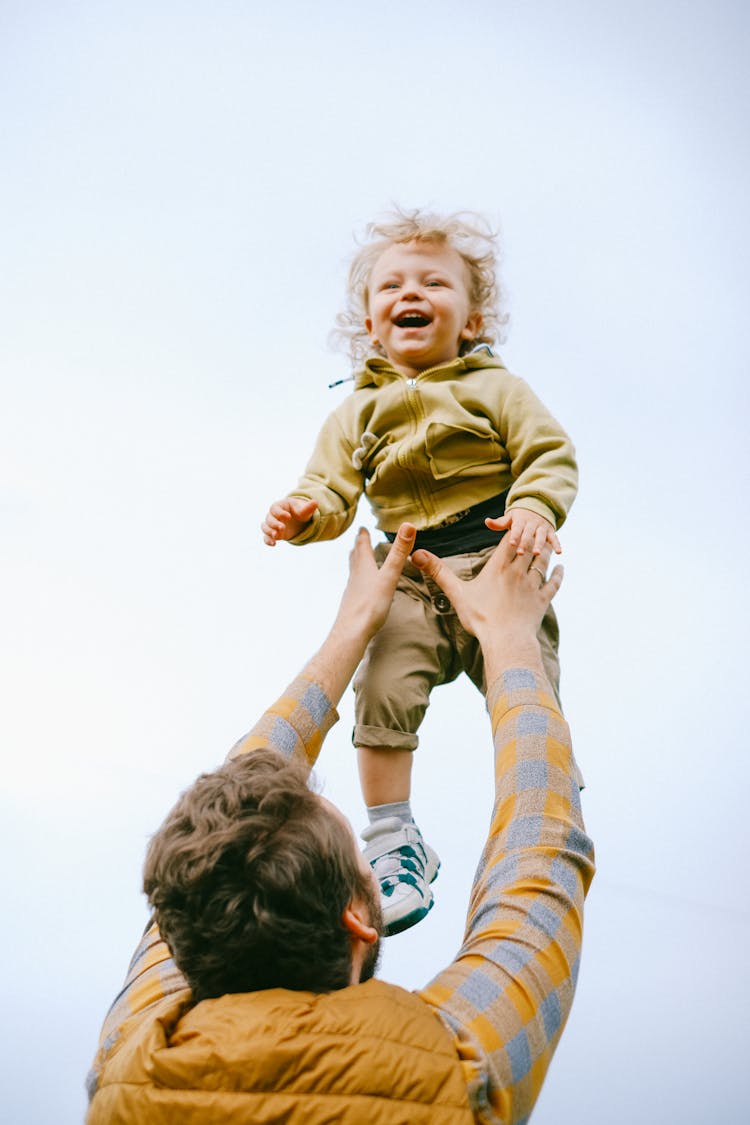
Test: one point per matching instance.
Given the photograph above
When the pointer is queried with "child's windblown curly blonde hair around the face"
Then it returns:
(468, 233)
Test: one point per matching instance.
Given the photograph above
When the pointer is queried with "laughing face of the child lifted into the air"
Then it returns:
(419, 301)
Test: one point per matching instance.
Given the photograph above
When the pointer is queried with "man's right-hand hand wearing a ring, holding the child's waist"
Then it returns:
(504, 606)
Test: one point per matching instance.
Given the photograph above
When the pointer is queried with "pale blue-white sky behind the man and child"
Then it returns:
(180, 187)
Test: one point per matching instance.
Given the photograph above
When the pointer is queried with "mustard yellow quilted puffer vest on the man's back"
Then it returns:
(372, 1055)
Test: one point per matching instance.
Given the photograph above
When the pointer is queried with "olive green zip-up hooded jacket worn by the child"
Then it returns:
(426, 448)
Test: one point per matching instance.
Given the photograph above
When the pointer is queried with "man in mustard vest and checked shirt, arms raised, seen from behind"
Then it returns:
(251, 997)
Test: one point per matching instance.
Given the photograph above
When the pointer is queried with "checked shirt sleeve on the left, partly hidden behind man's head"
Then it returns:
(295, 725)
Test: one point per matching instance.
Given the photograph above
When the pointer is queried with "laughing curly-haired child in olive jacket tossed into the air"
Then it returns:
(439, 434)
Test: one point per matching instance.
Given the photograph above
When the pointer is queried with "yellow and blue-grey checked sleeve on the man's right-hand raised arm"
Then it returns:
(508, 995)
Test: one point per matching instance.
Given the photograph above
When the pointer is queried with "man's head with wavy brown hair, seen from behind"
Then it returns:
(252, 878)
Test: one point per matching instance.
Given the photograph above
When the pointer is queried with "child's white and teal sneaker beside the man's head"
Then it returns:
(405, 867)
